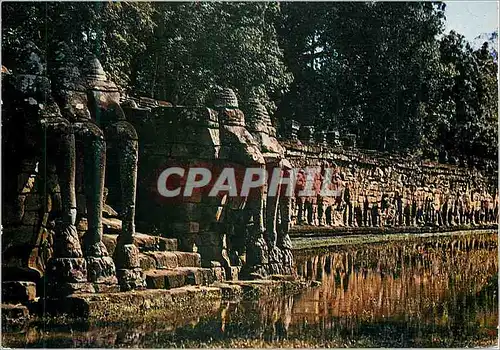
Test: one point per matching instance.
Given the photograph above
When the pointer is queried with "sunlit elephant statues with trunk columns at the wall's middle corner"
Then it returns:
(260, 230)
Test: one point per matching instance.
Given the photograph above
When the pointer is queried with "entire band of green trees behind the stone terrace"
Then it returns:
(382, 71)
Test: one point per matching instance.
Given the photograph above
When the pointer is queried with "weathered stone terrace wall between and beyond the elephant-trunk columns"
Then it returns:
(378, 189)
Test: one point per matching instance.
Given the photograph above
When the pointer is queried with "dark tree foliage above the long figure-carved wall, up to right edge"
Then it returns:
(386, 72)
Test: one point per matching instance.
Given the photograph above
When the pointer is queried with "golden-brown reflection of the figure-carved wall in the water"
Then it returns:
(445, 288)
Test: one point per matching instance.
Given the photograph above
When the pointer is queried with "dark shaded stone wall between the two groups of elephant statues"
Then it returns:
(180, 137)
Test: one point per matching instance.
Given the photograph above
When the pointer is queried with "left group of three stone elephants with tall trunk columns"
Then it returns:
(71, 117)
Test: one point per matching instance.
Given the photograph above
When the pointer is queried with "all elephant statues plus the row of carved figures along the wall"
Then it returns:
(72, 119)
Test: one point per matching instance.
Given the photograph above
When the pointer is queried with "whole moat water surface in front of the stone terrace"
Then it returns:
(432, 292)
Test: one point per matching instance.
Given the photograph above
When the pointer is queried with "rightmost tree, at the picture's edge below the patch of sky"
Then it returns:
(472, 127)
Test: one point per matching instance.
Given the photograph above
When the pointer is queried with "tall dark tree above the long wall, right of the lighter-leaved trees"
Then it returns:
(370, 65)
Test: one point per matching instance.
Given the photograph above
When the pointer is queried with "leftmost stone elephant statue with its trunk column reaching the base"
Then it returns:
(52, 141)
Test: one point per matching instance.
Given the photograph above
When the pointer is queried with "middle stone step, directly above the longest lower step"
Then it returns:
(168, 260)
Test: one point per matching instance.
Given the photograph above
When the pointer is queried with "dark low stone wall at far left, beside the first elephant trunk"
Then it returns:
(27, 230)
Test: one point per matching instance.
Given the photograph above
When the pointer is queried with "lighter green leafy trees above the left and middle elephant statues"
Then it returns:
(172, 51)
